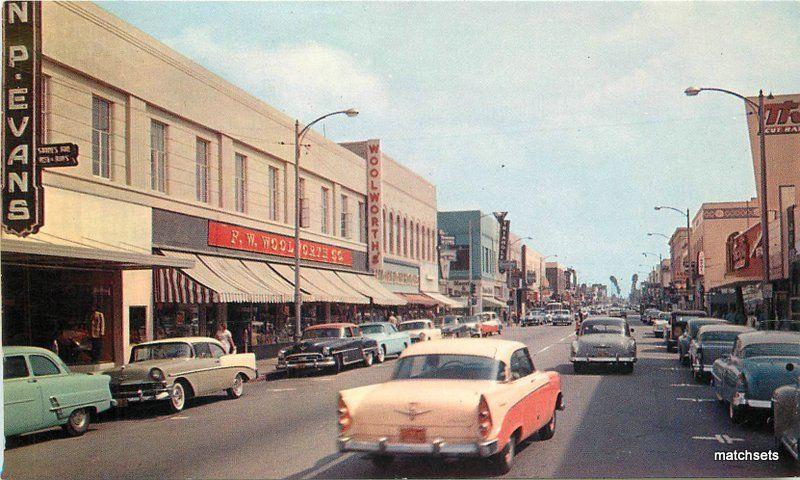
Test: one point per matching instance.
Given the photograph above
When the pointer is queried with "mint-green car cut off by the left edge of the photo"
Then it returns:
(40, 392)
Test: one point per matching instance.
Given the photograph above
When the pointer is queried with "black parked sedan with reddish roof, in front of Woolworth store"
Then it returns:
(328, 346)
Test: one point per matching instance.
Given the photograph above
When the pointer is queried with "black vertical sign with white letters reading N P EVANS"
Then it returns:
(22, 187)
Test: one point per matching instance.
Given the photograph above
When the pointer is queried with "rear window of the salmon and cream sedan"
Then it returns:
(448, 367)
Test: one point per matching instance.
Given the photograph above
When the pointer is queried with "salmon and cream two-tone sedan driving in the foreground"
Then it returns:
(452, 398)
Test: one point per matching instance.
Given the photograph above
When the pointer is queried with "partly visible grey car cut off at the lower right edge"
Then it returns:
(786, 414)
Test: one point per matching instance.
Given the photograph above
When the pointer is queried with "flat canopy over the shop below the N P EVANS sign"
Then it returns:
(38, 253)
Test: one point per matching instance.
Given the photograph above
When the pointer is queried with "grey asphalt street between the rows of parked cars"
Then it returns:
(656, 422)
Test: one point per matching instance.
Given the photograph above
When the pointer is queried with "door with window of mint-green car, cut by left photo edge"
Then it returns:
(22, 402)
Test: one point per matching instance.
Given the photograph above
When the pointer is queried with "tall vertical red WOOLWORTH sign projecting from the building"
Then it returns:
(374, 207)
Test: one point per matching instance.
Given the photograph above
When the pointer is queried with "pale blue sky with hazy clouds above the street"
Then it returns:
(570, 116)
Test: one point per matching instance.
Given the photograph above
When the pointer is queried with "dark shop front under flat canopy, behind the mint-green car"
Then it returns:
(68, 311)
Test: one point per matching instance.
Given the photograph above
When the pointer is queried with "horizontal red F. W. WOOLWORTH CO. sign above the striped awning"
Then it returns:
(234, 237)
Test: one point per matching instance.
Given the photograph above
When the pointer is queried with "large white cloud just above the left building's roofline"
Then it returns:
(302, 79)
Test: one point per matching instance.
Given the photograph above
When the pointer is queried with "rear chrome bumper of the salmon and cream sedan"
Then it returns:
(436, 448)
